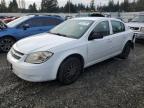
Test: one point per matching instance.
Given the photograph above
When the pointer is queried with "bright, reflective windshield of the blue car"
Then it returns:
(17, 21)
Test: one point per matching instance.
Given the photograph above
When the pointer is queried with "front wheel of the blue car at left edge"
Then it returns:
(6, 43)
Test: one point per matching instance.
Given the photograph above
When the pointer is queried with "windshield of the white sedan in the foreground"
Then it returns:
(72, 28)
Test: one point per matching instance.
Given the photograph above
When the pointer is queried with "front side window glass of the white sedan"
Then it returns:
(103, 28)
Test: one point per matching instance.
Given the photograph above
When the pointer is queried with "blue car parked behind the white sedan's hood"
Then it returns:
(26, 26)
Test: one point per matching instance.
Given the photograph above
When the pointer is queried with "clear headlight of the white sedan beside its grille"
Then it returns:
(38, 57)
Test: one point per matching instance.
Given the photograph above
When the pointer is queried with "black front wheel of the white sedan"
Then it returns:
(70, 70)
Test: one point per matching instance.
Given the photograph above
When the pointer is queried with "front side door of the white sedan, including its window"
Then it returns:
(100, 49)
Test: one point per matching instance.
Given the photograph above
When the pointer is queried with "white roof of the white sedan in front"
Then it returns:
(95, 18)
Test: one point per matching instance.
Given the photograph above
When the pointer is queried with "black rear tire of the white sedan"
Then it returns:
(126, 51)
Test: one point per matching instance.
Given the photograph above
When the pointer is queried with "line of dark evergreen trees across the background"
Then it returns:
(52, 6)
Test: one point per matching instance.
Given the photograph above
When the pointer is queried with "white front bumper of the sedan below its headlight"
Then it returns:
(32, 72)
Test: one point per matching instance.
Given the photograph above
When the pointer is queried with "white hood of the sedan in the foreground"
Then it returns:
(39, 42)
